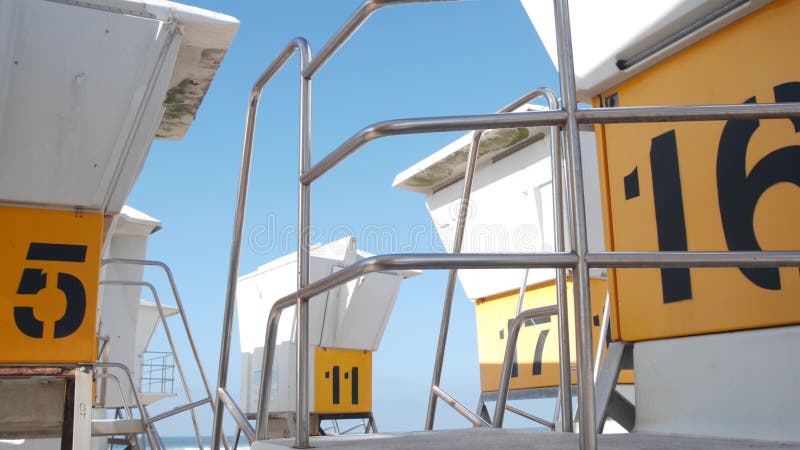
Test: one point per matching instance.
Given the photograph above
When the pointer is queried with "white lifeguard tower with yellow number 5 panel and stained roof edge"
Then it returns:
(85, 89)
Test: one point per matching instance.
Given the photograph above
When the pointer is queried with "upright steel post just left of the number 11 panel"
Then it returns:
(303, 261)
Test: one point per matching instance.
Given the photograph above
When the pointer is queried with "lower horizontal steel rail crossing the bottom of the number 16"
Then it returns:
(693, 259)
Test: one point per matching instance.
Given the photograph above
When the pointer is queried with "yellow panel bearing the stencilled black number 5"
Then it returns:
(48, 285)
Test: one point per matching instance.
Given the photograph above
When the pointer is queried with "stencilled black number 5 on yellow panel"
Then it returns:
(34, 280)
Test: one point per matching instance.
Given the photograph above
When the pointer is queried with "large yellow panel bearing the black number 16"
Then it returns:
(719, 185)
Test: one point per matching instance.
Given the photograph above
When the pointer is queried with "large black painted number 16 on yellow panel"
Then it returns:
(738, 191)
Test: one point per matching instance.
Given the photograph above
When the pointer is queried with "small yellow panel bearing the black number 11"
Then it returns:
(342, 381)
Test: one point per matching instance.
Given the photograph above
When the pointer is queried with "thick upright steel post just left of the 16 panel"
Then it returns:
(583, 330)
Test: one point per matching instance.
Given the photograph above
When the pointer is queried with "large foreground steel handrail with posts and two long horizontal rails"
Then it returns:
(580, 259)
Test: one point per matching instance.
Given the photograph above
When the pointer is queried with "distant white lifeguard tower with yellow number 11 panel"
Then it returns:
(346, 327)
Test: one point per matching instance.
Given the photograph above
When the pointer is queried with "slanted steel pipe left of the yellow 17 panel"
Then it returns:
(447, 308)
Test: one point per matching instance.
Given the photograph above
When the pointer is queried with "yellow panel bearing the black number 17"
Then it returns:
(537, 364)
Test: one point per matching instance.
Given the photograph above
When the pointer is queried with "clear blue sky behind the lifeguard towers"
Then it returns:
(406, 61)
